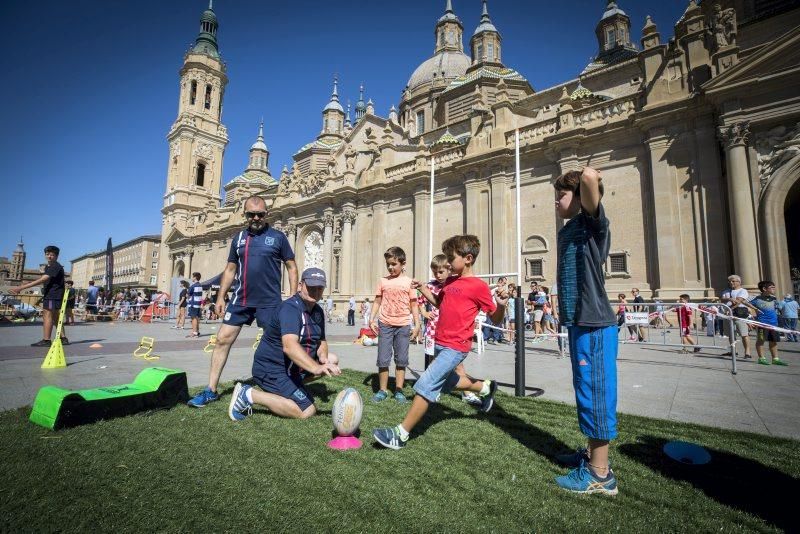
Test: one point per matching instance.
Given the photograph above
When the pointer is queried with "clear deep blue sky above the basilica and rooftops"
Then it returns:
(90, 90)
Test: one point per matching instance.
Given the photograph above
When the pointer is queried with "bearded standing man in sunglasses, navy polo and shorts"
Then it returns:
(254, 270)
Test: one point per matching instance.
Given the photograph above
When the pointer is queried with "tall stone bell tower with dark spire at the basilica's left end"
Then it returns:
(197, 138)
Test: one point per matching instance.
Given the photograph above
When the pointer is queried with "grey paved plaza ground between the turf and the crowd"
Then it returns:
(654, 381)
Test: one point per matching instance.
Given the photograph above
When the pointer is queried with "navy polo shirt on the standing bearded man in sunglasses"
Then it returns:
(259, 261)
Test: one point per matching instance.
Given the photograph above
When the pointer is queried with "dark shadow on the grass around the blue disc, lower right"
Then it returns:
(731, 480)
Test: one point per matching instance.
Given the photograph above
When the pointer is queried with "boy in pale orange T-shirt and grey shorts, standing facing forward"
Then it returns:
(395, 303)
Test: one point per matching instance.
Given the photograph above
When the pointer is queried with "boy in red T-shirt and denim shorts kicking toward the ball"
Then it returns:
(461, 298)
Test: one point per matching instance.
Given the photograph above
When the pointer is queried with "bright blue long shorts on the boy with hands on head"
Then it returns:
(593, 352)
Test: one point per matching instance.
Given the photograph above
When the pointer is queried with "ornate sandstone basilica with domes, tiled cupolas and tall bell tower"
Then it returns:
(695, 128)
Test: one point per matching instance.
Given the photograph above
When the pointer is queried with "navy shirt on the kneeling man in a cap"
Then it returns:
(291, 317)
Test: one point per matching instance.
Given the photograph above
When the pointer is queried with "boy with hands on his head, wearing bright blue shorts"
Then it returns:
(583, 245)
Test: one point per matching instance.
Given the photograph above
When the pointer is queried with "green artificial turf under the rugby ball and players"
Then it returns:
(188, 469)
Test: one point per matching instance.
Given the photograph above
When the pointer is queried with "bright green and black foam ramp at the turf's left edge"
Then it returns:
(153, 388)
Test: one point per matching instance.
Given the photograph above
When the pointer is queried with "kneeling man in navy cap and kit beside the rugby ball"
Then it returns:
(292, 352)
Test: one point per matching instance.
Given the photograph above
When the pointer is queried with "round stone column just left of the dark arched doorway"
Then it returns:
(740, 203)
